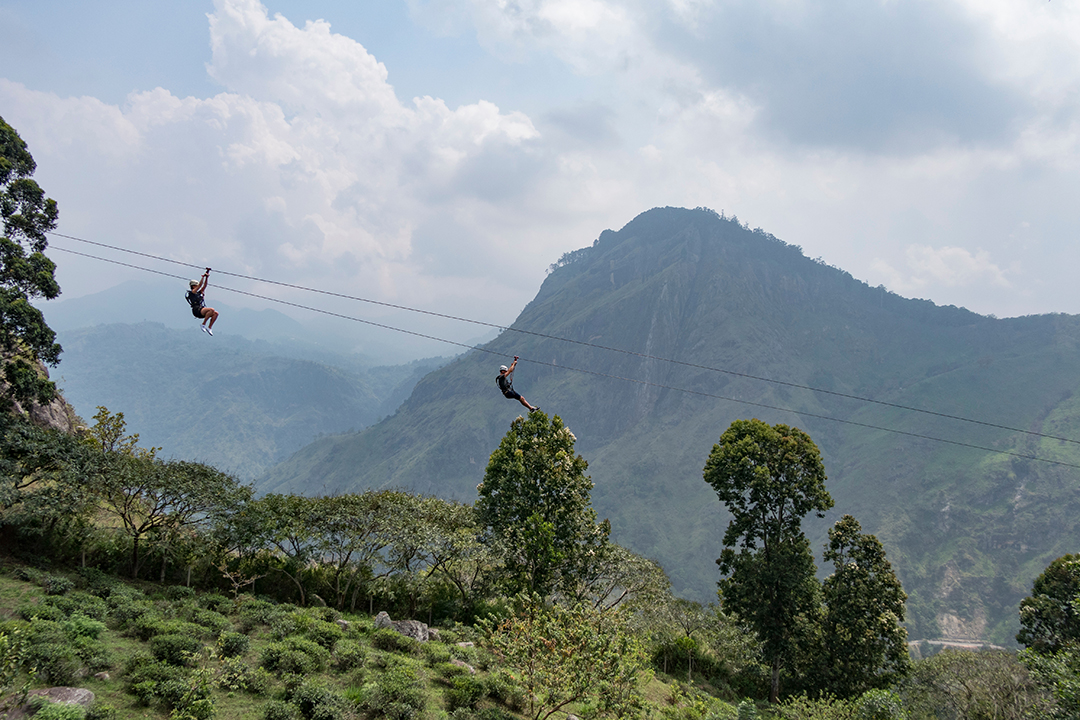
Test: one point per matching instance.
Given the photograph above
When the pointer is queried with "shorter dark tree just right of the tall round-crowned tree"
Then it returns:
(865, 645)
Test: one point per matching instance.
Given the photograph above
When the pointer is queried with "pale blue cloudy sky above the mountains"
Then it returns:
(443, 154)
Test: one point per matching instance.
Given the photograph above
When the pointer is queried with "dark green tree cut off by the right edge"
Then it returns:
(1050, 617)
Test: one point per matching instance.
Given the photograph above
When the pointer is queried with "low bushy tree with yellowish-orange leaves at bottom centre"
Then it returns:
(569, 656)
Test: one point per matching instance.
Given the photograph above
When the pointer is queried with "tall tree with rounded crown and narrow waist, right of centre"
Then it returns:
(769, 479)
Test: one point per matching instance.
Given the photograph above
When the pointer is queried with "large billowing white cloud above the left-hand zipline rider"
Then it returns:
(308, 165)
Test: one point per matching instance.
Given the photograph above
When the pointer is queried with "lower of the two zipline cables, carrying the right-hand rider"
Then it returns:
(595, 373)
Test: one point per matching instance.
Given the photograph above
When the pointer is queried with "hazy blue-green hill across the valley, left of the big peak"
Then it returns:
(239, 405)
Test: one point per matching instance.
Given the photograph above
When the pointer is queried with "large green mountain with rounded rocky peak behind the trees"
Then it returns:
(967, 529)
